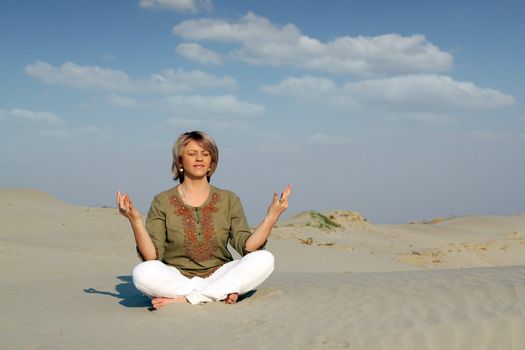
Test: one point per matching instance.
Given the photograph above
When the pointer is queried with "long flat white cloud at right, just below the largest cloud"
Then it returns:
(412, 93)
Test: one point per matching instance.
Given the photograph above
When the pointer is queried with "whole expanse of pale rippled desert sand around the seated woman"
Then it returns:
(340, 282)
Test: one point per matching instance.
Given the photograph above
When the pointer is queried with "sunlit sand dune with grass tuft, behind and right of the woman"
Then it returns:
(439, 243)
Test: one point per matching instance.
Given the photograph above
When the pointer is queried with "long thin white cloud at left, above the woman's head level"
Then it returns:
(95, 78)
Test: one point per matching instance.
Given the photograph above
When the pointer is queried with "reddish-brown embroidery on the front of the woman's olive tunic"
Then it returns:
(198, 249)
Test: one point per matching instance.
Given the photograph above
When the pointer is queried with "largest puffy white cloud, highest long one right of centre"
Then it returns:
(262, 42)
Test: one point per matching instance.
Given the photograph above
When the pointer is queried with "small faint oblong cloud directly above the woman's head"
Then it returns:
(213, 107)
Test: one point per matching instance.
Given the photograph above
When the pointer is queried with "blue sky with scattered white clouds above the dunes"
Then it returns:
(401, 111)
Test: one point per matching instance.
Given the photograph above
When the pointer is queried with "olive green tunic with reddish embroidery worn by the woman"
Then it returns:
(195, 239)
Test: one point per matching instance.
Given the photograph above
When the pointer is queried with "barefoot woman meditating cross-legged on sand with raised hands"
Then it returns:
(184, 242)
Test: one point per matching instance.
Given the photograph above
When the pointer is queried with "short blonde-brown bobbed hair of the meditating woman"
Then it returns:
(205, 141)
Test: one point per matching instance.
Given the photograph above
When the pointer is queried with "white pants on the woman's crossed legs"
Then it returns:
(156, 279)
